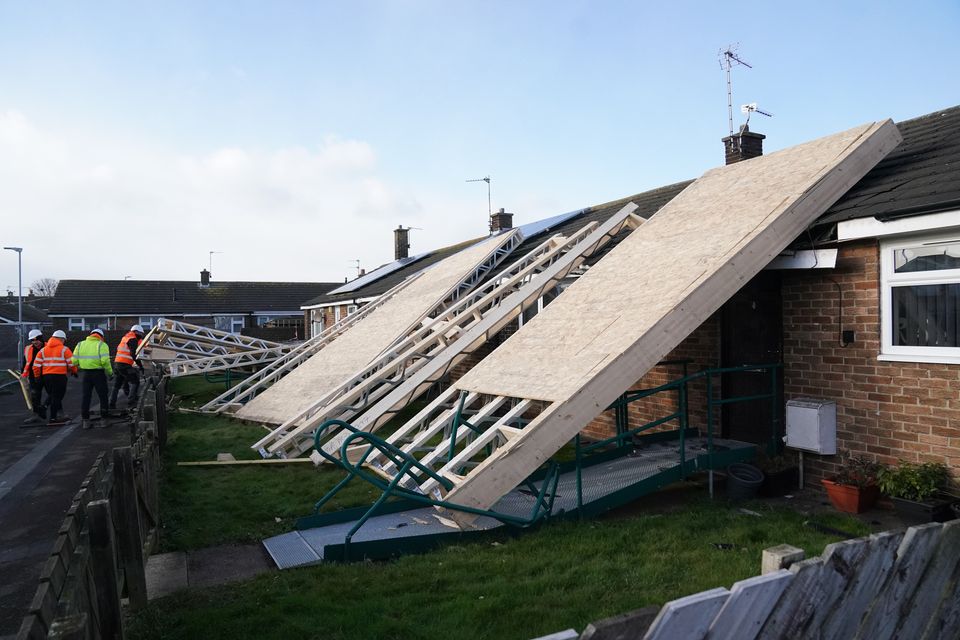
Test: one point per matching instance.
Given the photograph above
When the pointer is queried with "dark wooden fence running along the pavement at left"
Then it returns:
(102, 547)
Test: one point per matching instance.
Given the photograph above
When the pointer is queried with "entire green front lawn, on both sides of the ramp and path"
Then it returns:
(565, 574)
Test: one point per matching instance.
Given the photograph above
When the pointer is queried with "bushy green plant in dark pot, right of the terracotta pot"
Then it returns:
(917, 491)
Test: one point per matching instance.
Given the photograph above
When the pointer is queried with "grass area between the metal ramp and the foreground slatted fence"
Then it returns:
(566, 574)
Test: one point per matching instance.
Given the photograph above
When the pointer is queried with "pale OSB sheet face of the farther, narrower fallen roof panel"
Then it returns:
(351, 351)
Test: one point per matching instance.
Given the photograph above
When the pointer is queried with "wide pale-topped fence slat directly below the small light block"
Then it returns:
(749, 606)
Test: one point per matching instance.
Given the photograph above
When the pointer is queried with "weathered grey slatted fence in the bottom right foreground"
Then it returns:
(896, 584)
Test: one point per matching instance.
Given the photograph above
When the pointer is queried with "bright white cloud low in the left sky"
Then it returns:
(95, 207)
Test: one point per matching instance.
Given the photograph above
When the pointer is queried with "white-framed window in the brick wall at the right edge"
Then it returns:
(920, 299)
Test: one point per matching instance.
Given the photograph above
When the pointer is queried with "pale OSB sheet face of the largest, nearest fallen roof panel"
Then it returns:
(721, 220)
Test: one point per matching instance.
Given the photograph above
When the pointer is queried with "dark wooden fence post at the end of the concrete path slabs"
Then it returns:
(131, 538)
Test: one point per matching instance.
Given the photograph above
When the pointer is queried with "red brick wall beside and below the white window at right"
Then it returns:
(885, 410)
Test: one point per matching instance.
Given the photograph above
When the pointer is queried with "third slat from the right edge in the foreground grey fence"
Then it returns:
(869, 574)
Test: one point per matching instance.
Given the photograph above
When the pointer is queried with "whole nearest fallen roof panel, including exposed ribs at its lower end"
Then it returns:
(535, 393)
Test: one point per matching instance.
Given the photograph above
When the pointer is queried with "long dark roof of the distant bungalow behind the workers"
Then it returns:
(159, 297)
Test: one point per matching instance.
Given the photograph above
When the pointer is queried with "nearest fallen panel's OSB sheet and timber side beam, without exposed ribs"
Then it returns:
(611, 326)
